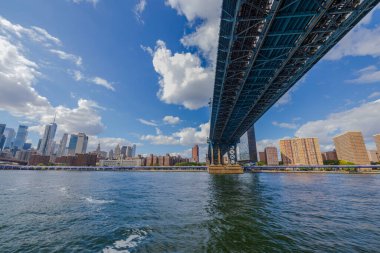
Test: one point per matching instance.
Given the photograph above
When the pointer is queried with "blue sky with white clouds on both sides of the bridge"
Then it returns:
(142, 72)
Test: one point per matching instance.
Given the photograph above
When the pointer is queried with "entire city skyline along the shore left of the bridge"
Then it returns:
(72, 151)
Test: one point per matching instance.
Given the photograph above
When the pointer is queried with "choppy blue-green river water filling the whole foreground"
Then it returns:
(188, 212)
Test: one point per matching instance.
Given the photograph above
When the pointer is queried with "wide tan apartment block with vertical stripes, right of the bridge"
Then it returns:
(301, 151)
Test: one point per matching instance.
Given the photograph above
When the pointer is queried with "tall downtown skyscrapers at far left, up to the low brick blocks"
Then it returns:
(70, 151)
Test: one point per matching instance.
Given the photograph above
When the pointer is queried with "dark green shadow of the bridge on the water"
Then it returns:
(240, 219)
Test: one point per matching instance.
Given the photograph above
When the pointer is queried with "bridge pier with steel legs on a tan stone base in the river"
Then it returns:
(216, 160)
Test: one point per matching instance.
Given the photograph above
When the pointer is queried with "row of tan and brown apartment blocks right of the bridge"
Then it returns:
(349, 147)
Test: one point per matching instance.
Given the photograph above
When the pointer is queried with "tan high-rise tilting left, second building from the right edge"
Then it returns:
(350, 147)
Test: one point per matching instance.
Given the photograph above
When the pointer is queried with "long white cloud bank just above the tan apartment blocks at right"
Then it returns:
(364, 118)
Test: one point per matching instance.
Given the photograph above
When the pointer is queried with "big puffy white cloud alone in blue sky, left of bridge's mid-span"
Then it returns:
(183, 80)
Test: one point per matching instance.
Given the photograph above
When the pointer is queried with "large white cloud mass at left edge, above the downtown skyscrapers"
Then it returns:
(19, 97)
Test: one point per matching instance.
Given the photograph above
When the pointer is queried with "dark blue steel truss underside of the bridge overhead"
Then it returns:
(265, 47)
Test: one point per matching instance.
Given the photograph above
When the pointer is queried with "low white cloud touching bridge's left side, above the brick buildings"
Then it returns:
(186, 136)
